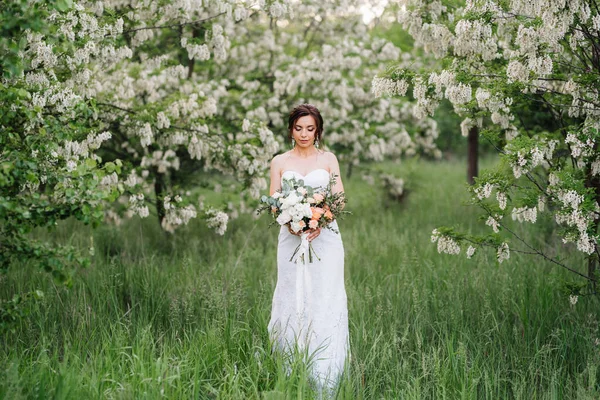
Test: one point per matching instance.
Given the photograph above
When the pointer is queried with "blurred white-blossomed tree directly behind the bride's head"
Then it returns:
(320, 55)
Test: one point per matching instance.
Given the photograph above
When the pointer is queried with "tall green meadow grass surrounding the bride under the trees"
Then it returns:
(187, 318)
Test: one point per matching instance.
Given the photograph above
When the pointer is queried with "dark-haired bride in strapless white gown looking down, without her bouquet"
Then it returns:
(309, 310)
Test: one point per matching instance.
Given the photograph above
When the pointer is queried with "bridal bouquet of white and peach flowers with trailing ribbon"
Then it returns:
(303, 208)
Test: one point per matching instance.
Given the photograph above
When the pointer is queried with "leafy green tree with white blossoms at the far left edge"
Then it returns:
(49, 170)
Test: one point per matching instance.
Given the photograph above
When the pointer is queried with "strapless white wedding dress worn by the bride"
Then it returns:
(309, 304)
